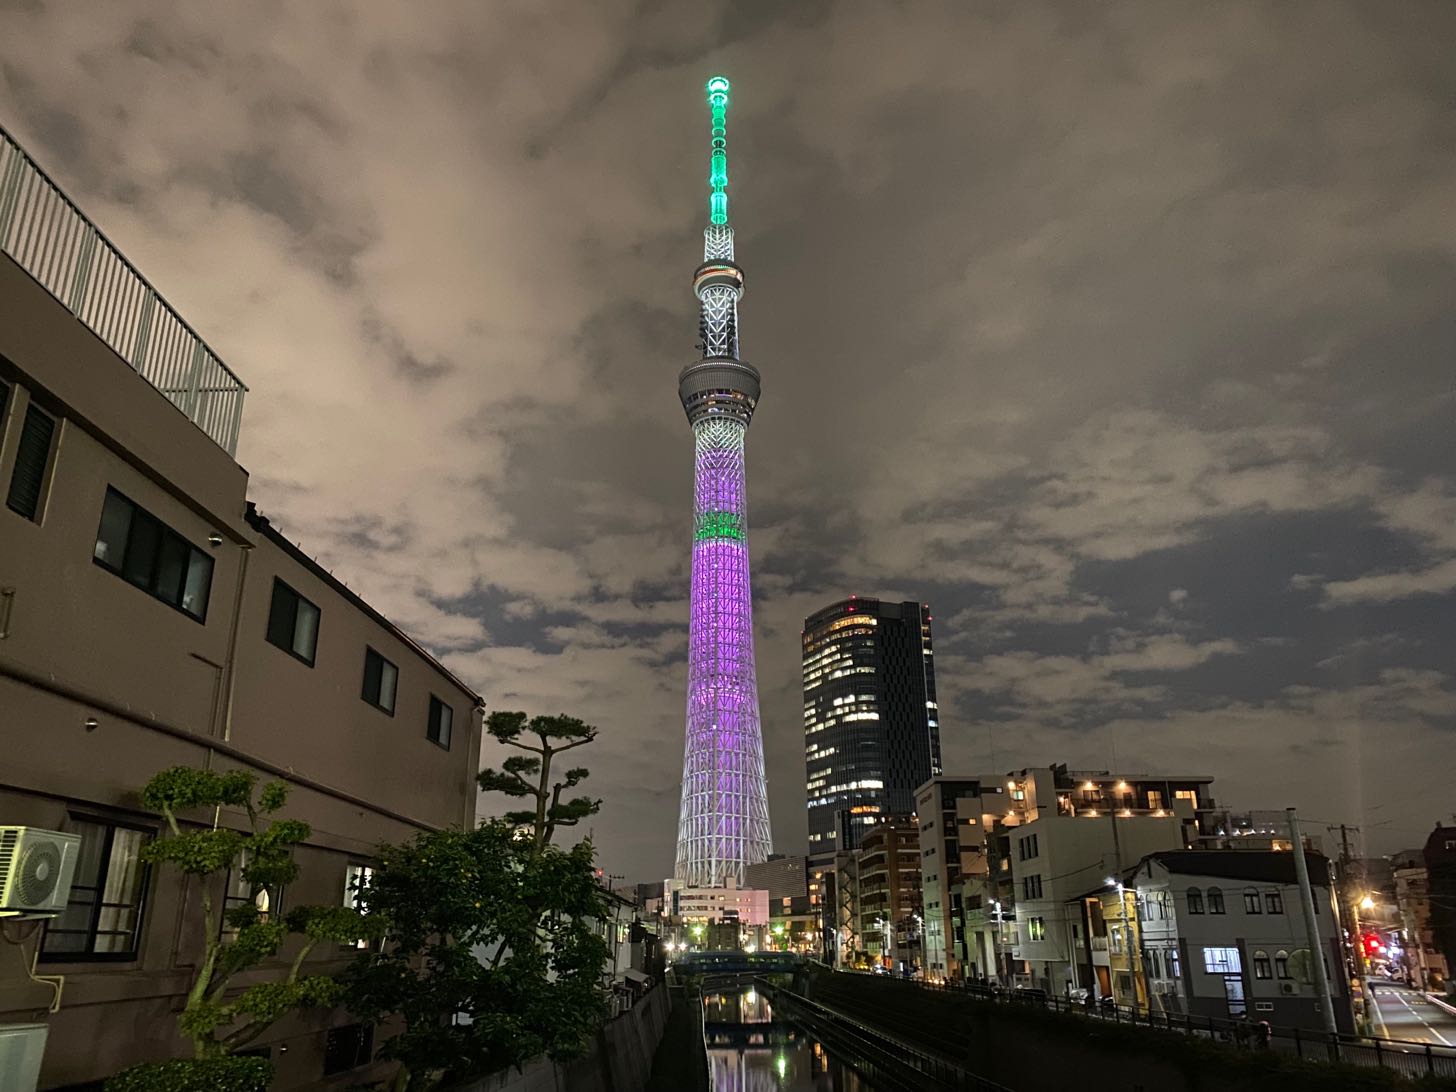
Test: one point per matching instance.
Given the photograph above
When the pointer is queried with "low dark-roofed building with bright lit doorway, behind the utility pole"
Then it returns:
(1224, 935)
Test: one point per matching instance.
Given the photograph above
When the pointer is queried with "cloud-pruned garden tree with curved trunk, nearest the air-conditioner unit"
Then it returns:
(215, 1023)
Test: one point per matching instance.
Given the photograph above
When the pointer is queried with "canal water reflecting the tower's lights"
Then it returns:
(752, 1051)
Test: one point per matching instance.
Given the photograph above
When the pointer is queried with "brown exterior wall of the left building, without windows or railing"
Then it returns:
(103, 685)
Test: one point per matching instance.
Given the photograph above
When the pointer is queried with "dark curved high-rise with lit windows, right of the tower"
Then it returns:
(871, 726)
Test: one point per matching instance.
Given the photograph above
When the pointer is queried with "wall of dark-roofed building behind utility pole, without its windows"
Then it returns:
(1282, 1001)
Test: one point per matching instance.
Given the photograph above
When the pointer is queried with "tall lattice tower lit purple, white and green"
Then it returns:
(724, 823)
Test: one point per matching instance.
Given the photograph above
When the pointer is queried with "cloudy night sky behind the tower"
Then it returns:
(1122, 334)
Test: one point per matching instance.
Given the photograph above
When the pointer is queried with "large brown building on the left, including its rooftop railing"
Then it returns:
(149, 618)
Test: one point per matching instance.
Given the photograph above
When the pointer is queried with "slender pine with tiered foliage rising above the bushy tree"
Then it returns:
(529, 775)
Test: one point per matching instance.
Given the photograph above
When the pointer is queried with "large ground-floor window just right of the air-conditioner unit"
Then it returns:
(103, 918)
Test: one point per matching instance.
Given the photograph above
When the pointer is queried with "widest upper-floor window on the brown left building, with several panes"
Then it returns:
(143, 551)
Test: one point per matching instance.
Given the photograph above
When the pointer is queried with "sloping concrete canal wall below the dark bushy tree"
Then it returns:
(620, 1061)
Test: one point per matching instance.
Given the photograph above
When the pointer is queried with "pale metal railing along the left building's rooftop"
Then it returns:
(52, 240)
